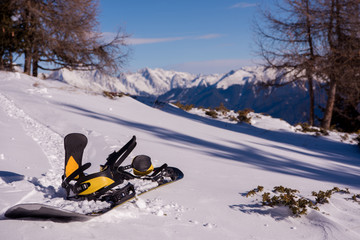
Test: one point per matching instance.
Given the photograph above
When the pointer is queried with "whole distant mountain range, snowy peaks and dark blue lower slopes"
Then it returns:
(236, 90)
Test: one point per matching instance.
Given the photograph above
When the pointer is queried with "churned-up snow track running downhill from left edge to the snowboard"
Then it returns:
(51, 143)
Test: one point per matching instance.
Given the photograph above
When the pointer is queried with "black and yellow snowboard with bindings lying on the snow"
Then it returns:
(101, 186)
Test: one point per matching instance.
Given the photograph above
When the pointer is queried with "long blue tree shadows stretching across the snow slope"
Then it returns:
(341, 165)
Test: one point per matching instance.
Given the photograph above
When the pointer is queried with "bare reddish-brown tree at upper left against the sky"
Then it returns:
(63, 33)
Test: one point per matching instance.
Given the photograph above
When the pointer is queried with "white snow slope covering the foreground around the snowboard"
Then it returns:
(221, 161)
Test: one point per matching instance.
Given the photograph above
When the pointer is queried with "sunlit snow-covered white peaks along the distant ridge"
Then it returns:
(157, 81)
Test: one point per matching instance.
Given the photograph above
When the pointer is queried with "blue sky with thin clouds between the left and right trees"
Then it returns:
(197, 36)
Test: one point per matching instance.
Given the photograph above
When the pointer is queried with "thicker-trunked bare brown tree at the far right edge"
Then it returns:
(340, 64)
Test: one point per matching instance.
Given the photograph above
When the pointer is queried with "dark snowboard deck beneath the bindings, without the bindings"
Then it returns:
(39, 211)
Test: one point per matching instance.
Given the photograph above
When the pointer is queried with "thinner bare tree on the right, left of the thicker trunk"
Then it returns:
(286, 43)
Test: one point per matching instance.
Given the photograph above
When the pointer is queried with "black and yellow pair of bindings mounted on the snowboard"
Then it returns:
(107, 185)
